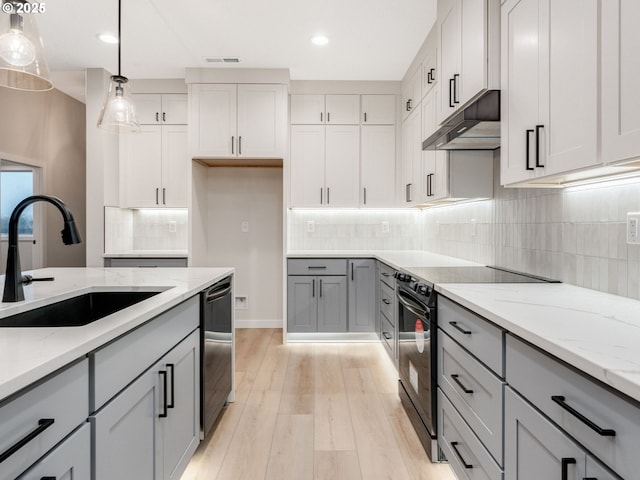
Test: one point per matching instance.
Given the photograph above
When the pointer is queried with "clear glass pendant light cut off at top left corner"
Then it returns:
(22, 62)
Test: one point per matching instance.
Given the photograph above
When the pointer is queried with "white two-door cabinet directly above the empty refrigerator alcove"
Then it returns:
(244, 121)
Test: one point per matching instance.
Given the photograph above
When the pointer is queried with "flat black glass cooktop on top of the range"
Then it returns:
(437, 275)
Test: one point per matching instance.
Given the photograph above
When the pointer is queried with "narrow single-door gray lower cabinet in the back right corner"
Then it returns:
(362, 300)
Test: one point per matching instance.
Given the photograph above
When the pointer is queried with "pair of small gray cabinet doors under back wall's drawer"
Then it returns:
(317, 303)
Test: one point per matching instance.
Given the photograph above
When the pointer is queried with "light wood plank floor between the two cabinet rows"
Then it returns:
(312, 411)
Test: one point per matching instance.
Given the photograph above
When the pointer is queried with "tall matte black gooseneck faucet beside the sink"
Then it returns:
(13, 290)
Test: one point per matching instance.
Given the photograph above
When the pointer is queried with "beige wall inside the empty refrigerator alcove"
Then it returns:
(253, 195)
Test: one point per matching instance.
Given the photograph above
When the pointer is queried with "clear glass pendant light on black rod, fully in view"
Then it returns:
(118, 113)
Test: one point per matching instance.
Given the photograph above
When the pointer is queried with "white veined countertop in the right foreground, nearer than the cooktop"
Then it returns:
(595, 332)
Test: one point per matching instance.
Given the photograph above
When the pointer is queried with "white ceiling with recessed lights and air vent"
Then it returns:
(369, 39)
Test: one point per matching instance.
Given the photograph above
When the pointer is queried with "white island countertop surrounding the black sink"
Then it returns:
(28, 354)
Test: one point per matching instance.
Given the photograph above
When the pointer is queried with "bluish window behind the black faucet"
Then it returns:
(15, 185)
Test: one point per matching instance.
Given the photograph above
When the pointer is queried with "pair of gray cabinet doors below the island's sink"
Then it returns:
(150, 430)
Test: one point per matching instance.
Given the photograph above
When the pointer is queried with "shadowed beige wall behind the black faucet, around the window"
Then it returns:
(47, 129)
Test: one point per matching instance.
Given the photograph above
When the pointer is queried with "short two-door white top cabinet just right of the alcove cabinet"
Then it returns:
(325, 109)
